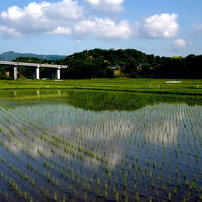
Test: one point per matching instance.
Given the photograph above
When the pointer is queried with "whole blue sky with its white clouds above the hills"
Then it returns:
(159, 27)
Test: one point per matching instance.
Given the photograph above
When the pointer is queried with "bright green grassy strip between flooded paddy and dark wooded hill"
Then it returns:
(191, 86)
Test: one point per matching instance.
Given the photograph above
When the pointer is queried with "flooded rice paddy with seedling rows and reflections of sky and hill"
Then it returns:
(61, 145)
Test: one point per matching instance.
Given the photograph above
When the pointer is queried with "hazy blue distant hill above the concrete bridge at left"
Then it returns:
(11, 55)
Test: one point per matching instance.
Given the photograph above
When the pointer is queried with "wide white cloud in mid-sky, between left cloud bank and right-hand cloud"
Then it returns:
(104, 28)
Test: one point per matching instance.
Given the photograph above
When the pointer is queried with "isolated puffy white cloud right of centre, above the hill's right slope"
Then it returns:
(160, 26)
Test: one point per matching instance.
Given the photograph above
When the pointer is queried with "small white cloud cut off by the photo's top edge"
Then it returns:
(106, 6)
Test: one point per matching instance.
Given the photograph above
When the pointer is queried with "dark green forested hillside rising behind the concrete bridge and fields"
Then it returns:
(99, 63)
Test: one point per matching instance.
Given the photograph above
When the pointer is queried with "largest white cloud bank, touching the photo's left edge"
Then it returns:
(54, 18)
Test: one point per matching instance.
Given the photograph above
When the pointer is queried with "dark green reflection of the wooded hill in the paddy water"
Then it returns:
(98, 101)
